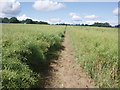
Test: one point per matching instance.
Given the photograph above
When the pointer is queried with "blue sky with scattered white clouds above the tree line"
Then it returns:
(66, 11)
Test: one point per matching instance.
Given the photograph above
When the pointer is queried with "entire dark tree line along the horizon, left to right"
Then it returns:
(30, 21)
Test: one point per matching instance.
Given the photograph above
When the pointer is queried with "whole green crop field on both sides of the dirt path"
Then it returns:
(28, 49)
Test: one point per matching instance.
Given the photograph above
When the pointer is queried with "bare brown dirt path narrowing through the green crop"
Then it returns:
(65, 73)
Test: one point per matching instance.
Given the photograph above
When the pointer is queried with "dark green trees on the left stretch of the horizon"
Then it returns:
(15, 20)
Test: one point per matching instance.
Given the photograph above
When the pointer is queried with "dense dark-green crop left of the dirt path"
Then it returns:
(26, 50)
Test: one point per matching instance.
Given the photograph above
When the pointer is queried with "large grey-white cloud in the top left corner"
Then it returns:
(9, 8)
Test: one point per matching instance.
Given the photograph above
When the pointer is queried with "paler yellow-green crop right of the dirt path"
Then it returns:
(97, 52)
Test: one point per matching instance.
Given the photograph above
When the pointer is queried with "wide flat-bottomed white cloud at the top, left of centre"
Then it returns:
(46, 5)
